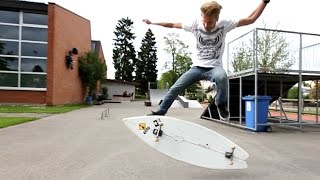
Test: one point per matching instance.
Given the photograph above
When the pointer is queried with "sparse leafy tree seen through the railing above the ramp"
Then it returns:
(271, 50)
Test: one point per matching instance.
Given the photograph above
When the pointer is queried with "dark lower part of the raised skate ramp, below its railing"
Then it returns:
(274, 85)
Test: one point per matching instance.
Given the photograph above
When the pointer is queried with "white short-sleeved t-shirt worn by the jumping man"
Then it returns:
(210, 45)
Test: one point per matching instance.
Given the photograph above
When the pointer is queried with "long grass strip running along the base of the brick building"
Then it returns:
(40, 109)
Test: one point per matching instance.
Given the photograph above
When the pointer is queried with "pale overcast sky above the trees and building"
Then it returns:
(290, 15)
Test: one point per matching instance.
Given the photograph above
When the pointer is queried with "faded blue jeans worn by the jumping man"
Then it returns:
(193, 75)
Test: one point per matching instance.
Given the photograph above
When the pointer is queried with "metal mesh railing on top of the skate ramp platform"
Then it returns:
(274, 50)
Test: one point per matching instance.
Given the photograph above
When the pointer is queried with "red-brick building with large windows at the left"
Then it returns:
(35, 39)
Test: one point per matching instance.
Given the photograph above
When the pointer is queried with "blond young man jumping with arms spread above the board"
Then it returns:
(210, 33)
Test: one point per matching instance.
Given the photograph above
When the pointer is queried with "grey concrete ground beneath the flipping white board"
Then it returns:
(80, 146)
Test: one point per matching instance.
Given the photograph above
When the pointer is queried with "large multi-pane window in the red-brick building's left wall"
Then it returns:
(23, 50)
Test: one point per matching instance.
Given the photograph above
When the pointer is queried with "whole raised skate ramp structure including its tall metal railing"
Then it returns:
(259, 67)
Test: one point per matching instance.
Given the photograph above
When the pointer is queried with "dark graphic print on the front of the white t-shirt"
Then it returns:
(209, 43)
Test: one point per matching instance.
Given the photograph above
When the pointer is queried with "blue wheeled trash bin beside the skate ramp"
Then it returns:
(262, 113)
